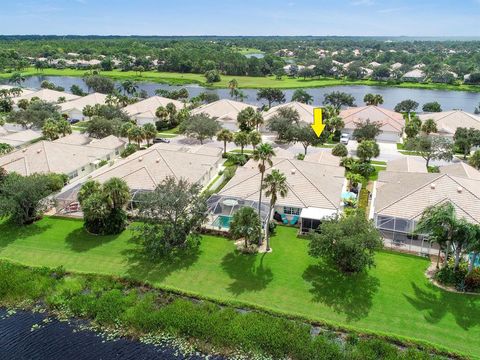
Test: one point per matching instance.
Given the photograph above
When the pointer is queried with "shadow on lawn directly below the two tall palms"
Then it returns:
(247, 275)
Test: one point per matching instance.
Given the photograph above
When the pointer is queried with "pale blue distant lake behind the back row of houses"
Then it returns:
(448, 99)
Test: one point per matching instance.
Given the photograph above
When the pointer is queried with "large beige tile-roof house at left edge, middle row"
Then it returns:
(56, 157)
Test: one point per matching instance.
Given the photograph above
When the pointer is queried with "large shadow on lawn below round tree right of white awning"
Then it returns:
(348, 294)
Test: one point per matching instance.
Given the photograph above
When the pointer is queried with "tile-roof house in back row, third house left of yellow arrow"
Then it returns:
(144, 111)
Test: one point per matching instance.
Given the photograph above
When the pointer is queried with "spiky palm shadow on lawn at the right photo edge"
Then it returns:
(438, 303)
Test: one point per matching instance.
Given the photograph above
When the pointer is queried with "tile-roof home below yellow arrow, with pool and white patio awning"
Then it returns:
(314, 193)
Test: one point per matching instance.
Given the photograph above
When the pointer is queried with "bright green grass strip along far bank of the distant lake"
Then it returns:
(243, 81)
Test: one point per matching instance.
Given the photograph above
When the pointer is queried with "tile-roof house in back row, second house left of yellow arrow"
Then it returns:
(224, 110)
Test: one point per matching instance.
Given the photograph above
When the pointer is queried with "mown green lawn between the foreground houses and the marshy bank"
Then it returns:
(394, 298)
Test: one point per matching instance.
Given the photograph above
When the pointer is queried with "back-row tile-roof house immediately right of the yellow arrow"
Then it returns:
(392, 122)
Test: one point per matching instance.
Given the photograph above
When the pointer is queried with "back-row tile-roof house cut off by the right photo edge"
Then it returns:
(449, 121)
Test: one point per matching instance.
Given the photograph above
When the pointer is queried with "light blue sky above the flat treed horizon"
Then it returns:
(242, 17)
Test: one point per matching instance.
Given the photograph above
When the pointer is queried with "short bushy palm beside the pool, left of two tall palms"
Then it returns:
(246, 225)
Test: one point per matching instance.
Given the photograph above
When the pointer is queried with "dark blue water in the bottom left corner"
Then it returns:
(58, 340)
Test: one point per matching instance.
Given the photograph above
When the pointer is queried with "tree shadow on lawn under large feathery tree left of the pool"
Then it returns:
(140, 266)
